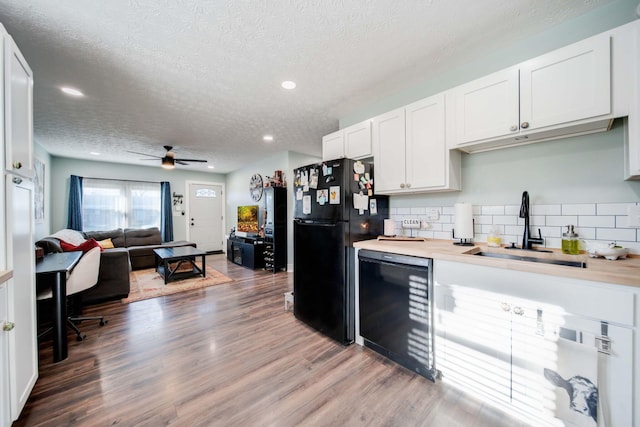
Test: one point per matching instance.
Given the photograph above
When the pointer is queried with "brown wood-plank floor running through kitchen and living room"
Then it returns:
(229, 355)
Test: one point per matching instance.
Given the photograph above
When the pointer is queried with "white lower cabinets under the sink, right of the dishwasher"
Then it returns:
(516, 339)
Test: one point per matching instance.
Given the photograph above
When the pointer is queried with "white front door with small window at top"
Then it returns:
(205, 215)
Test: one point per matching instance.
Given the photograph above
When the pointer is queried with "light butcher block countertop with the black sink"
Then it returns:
(621, 271)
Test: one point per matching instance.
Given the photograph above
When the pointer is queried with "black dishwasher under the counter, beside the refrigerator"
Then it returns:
(396, 310)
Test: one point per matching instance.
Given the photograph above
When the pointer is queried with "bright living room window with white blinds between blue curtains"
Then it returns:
(110, 204)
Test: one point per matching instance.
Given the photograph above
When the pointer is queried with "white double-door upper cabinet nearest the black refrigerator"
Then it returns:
(410, 152)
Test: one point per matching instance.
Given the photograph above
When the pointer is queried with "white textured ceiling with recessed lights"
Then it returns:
(204, 76)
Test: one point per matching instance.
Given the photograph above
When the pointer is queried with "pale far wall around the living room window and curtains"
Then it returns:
(61, 168)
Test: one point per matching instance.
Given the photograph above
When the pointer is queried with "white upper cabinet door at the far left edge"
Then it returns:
(18, 99)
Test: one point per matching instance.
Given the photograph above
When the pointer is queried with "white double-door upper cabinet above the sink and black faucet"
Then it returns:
(563, 93)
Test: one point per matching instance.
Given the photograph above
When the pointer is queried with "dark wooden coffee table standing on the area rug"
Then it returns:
(181, 256)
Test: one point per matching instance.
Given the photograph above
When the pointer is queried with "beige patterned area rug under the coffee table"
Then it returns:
(148, 283)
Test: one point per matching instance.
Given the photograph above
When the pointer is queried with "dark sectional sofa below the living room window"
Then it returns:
(133, 250)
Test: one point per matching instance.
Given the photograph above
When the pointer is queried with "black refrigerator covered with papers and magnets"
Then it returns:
(334, 206)
